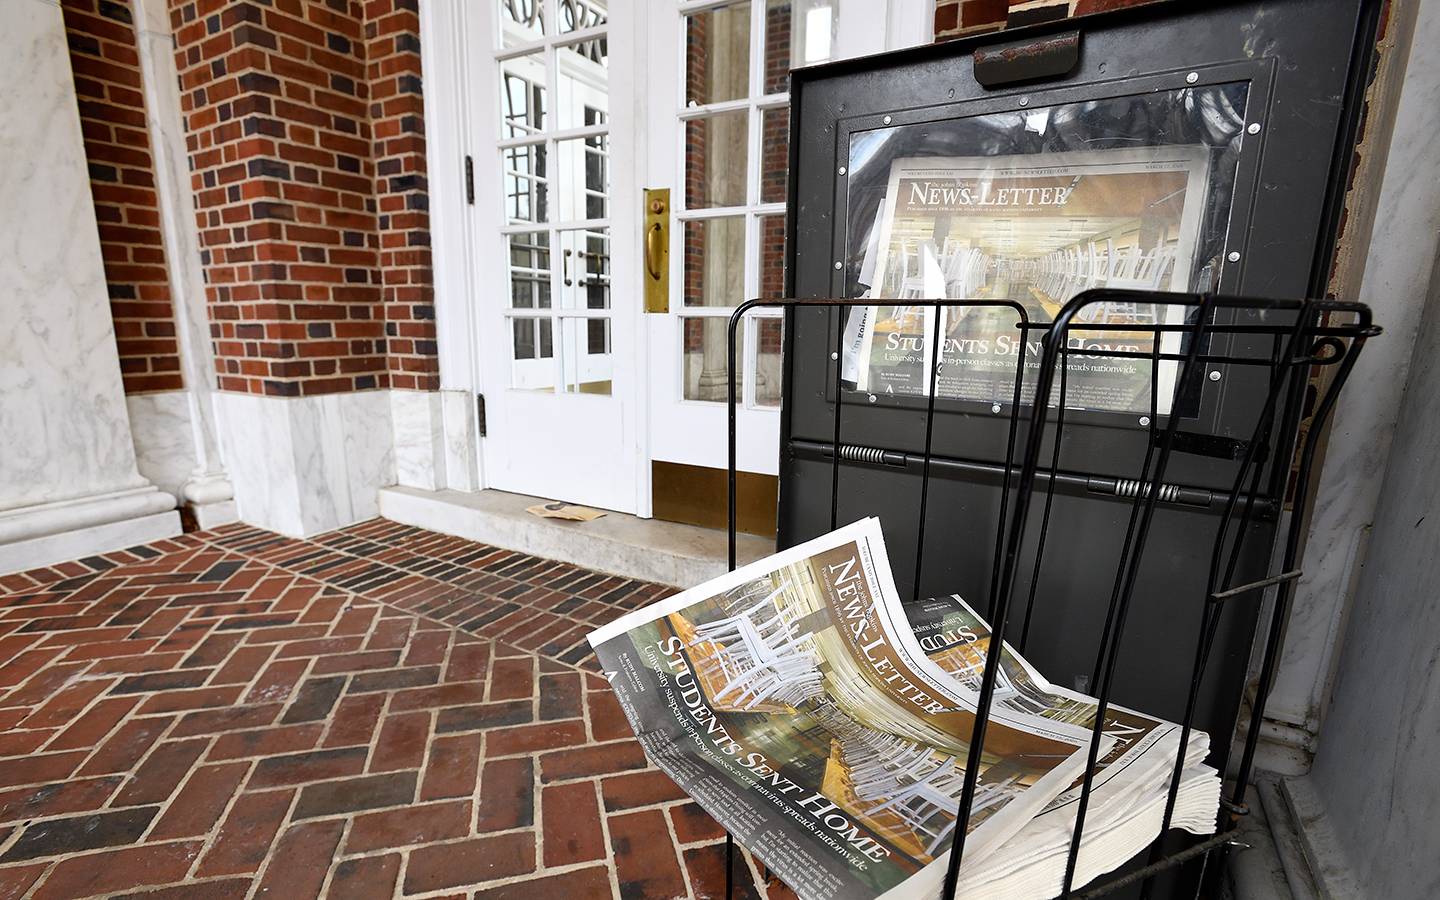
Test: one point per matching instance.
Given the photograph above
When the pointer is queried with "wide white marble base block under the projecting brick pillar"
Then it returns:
(305, 466)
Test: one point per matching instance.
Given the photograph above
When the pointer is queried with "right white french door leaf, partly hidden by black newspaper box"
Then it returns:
(718, 136)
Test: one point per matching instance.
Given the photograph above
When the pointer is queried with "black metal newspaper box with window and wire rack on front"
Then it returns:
(1138, 551)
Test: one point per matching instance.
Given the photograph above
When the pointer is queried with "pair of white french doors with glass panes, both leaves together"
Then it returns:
(572, 109)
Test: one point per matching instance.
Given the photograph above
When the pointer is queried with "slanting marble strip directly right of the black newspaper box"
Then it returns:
(1398, 273)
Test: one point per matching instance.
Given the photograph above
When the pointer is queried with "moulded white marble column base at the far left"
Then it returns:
(45, 535)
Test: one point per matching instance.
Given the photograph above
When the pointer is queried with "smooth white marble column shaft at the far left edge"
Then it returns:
(63, 410)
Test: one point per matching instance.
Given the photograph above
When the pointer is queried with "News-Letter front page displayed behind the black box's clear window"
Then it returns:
(1036, 231)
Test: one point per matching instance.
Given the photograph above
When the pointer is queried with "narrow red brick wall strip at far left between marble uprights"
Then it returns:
(117, 145)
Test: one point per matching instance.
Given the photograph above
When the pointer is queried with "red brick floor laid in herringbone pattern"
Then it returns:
(379, 712)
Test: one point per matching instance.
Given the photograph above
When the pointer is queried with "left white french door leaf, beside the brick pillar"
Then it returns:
(557, 231)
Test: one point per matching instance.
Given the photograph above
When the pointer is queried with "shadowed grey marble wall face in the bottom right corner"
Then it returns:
(1374, 775)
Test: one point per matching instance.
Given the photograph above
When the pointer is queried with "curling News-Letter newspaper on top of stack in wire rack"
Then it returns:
(794, 703)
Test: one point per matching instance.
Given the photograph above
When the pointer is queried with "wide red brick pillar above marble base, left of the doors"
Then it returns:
(306, 143)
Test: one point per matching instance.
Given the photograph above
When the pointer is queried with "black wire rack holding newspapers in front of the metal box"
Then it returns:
(1300, 354)
